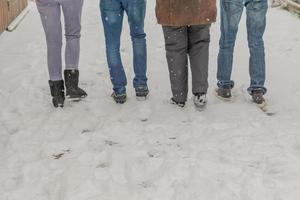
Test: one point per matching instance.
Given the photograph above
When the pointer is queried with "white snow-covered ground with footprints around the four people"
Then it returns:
(150, 150)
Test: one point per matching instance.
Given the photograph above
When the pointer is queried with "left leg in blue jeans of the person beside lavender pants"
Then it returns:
(112, 17)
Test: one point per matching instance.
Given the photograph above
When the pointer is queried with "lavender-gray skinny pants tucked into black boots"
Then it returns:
(50, 11)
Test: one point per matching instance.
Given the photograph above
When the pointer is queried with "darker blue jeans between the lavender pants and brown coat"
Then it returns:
(112, 12)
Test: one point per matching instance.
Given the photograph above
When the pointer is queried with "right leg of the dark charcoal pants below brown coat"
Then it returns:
(198, 49)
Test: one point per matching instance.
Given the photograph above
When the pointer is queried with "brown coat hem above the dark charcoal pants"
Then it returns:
(185, 12)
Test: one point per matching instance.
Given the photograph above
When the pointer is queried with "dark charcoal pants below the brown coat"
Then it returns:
(181, 43)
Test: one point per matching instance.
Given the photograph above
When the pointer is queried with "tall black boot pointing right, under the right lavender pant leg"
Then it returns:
(72, 89)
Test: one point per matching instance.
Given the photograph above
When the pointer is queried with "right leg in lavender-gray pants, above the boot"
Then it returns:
(72, 10)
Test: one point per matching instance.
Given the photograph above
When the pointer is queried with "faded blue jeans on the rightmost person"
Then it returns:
(231, 11)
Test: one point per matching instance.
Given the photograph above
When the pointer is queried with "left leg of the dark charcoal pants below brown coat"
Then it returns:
(176, 44)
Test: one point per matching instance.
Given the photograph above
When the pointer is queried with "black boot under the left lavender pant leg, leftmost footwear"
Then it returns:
(57, 92)
